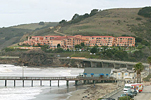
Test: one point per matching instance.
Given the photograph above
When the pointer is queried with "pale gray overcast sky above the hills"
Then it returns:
(15, 12)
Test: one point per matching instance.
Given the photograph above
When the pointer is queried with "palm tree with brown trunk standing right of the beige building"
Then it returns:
(139, 67)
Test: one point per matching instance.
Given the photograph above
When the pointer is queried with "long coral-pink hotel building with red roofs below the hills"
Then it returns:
(70, 41)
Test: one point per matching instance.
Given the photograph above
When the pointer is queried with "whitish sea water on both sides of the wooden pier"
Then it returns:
(37, 92)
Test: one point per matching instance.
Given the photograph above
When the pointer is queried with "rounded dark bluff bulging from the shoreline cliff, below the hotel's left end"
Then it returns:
(36, 58)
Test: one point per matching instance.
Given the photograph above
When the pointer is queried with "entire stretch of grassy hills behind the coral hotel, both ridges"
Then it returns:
(114, 22)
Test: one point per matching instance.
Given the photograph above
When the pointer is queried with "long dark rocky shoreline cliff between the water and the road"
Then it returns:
(39, 58)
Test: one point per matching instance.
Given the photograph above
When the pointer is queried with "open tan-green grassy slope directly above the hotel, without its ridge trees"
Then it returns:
(108, 22)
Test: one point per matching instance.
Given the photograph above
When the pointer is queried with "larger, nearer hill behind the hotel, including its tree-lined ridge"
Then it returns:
(114, 22)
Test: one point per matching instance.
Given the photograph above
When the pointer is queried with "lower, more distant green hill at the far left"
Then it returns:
(15, 34)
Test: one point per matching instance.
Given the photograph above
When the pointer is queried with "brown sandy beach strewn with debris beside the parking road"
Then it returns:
(93, 92)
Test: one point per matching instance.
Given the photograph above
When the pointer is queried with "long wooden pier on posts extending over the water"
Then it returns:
(84, 80)
